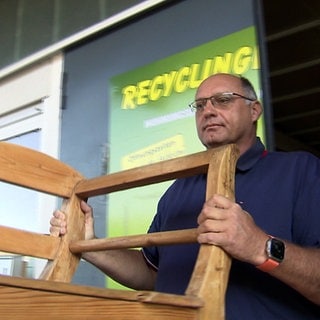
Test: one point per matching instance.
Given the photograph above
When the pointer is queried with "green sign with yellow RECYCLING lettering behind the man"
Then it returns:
(150, 120)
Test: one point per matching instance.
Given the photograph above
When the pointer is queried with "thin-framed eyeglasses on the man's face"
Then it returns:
(219, 100)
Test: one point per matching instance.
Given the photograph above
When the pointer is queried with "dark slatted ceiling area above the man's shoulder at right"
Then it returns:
(293, 48)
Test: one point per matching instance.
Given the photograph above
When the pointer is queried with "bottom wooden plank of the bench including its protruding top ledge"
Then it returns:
(54, 300)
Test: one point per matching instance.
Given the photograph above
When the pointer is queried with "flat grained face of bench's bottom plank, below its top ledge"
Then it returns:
(54, 306)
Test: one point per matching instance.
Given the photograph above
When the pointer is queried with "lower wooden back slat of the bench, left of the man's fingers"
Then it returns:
(28, 243)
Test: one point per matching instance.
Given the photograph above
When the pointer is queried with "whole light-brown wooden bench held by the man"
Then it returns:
(53, 297)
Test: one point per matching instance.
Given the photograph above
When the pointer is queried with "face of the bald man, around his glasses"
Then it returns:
(232, 122)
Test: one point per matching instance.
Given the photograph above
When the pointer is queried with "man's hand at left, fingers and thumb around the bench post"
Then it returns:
(58, 223)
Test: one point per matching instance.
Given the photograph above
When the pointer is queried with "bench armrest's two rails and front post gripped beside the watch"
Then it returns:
(210, 276)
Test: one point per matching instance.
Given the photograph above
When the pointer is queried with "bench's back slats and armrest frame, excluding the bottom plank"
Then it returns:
(34, 170)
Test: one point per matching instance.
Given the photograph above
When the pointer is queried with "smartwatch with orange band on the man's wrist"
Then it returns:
(275, 249)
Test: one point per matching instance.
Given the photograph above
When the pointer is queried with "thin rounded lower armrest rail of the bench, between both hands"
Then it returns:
(135, 241)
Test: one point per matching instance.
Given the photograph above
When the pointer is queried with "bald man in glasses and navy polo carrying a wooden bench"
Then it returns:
(277, 205)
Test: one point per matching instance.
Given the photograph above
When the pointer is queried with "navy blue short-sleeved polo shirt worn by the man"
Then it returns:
(282, 193)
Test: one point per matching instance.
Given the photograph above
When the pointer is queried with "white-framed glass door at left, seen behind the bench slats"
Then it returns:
(30, 117)
